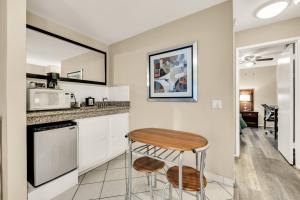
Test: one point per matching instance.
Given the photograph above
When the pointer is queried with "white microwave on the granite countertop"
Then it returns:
(47, 99)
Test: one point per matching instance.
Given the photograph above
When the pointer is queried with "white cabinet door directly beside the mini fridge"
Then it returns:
(93, 141)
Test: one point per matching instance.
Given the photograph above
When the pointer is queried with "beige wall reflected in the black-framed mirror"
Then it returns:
(91, 63)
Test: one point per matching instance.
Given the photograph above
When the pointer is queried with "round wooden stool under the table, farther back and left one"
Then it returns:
(149, 166)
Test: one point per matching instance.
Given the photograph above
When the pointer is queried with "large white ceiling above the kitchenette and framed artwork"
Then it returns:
(110, 21)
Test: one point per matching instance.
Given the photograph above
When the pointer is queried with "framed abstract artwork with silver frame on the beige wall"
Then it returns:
(172, 74)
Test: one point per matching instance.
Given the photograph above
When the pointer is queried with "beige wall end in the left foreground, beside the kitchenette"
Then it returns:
(12, 98)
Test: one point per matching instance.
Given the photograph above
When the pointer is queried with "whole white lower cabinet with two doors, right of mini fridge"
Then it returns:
(100, 139)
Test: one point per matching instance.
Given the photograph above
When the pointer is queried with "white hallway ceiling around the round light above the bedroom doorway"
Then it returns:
(245, 14)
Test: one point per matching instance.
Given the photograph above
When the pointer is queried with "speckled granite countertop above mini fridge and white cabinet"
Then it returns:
(100, 109)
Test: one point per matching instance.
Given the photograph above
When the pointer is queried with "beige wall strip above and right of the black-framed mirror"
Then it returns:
(50, 26)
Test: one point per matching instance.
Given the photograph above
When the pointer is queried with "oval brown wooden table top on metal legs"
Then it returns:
(168, 139)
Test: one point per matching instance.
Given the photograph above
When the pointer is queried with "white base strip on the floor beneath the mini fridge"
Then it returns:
(53, 188)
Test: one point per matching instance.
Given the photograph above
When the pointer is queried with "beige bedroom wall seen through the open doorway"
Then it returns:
(263, 81)
